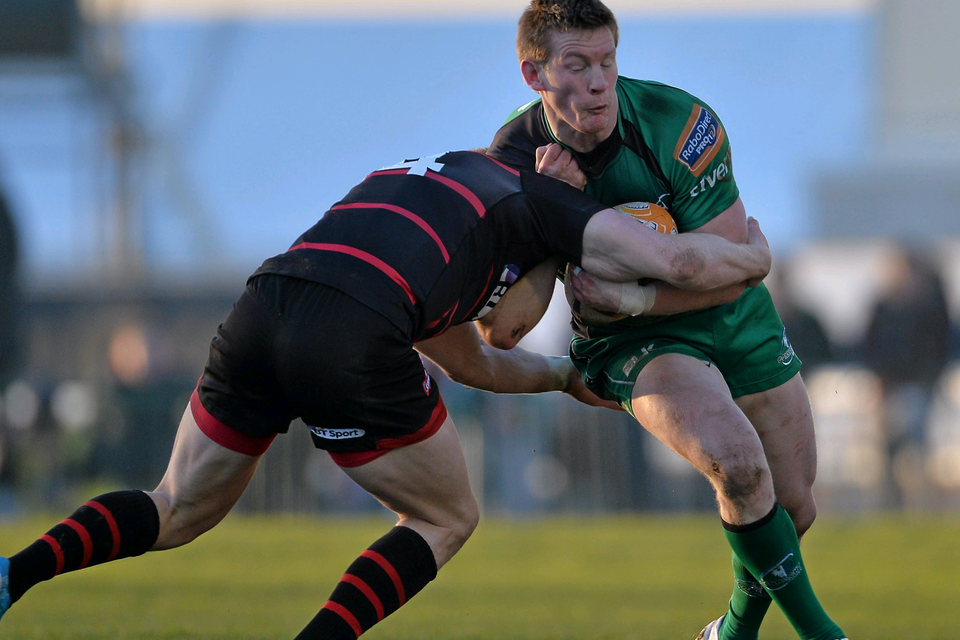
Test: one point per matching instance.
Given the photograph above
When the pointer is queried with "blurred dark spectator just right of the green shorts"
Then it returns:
(803, 327)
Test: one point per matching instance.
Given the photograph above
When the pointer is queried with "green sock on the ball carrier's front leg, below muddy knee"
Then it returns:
(770, 550)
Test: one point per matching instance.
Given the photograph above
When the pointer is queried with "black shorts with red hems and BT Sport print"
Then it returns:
(290, 349)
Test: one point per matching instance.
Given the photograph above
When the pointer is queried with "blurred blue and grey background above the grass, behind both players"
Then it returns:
(153, 153)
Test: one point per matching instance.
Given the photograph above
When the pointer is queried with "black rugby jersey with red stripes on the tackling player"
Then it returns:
(437, 241)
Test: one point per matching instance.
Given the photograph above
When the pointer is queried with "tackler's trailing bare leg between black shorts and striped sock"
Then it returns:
(202, 482)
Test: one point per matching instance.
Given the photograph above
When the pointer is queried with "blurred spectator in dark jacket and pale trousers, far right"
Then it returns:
(907, 346)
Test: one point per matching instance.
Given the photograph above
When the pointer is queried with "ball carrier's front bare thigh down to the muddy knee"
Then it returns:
(686, 404)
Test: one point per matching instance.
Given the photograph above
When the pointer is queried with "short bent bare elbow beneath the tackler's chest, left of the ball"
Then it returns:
(521, 307)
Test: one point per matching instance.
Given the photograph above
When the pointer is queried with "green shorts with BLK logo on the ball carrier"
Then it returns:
(744, 339)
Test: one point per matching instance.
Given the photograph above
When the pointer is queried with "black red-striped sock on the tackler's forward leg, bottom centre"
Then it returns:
(394, 569)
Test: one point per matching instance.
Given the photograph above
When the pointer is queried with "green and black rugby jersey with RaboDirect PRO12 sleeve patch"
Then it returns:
(668, 147)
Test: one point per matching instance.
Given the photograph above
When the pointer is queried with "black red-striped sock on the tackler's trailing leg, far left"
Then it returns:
(115, 525)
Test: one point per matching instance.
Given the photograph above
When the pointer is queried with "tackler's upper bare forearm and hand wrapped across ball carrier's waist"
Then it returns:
(616, 248)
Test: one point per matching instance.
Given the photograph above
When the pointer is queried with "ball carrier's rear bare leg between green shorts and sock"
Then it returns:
(784, 422)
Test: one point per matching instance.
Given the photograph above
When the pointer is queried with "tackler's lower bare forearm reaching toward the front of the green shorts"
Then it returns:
(466, 359)
